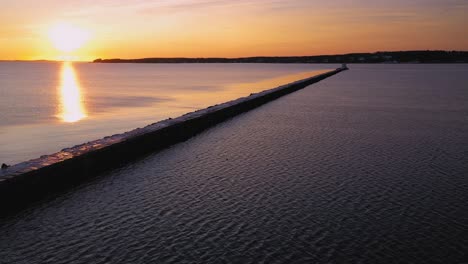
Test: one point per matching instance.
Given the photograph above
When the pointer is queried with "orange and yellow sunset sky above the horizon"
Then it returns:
(31, 29)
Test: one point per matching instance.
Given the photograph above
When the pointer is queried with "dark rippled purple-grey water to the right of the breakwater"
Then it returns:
(368, 166)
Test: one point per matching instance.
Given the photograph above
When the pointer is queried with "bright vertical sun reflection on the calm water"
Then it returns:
(71, 102)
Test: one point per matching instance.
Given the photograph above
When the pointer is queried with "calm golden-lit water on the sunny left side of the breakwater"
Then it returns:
(45, 107)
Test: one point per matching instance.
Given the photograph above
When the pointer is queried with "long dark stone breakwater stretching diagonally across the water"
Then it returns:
(25, 182)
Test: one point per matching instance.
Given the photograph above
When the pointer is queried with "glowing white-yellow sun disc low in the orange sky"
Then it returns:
(67, 38)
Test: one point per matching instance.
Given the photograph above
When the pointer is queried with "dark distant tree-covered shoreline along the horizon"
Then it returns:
(377, 57)
